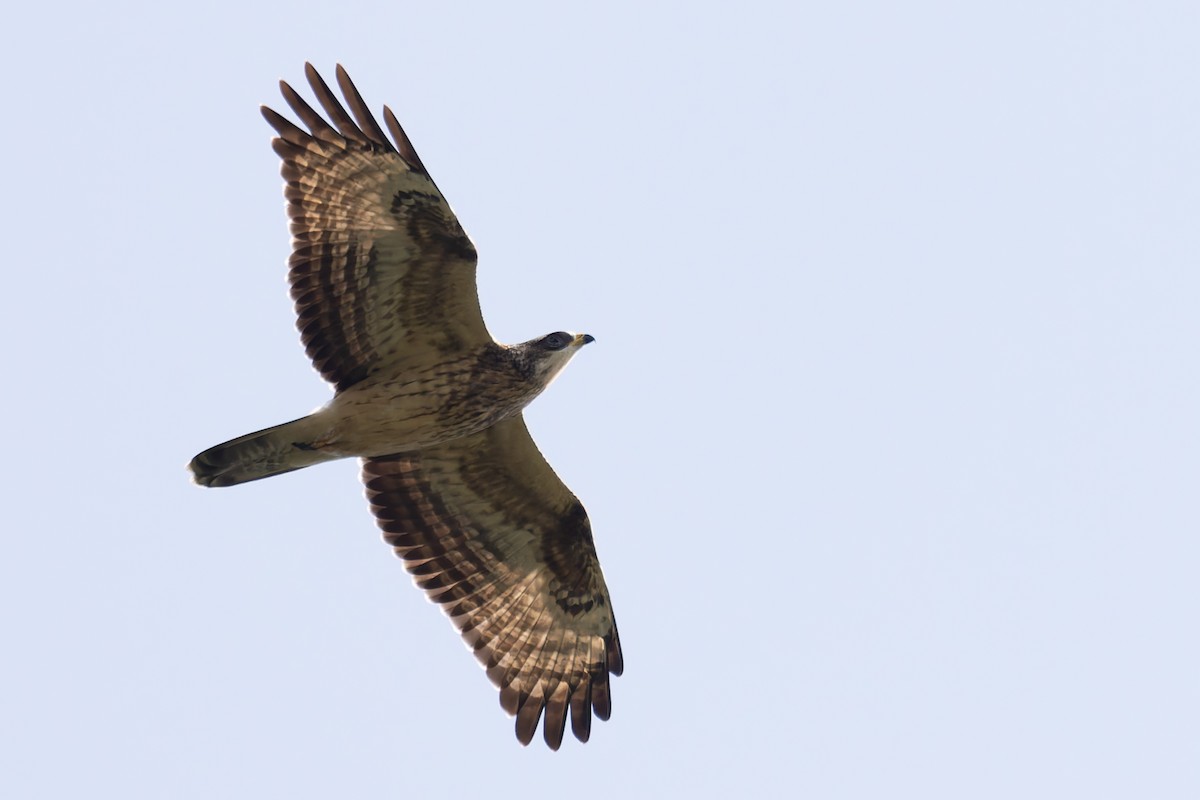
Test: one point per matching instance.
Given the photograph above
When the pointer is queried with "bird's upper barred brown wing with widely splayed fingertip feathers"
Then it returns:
(381, 269)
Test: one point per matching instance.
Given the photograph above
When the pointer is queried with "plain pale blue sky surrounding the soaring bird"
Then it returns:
(890, 437)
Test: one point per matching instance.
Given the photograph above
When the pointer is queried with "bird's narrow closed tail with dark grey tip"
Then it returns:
(263, 454)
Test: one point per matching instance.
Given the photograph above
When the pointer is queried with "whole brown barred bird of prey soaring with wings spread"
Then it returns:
(383, 280)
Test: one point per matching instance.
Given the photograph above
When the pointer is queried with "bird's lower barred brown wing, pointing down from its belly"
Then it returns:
(491, 534)
